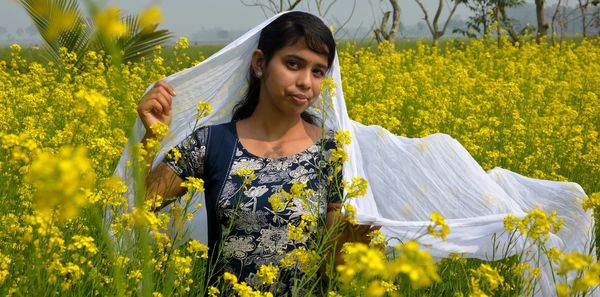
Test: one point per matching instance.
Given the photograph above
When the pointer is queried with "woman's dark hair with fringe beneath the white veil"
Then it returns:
(287, 30)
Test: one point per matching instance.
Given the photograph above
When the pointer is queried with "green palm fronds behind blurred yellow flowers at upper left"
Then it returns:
(61, 24)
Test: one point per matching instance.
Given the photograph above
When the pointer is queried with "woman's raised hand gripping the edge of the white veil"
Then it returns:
(155, 106)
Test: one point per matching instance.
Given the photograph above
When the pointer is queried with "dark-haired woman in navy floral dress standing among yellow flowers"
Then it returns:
(273, 134)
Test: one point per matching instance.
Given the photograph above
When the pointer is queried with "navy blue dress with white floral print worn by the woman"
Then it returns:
(251, 232)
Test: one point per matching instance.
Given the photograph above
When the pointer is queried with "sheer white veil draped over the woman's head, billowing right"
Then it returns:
(408, 178)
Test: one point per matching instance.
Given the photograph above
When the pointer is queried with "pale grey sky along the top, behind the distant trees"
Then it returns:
(207, 24)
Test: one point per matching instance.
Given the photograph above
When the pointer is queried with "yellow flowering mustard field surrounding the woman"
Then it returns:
(533, 109)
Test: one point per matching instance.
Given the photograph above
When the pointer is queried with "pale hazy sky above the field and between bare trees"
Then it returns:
(188, 16)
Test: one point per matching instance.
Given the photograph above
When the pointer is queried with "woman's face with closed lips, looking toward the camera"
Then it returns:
(291, 80)
